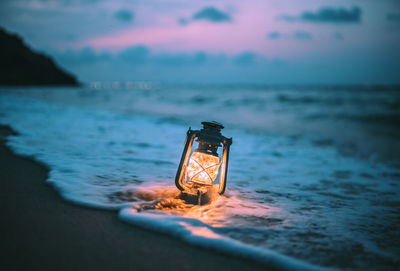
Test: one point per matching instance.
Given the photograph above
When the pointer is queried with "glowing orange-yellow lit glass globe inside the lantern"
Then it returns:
(203, 168)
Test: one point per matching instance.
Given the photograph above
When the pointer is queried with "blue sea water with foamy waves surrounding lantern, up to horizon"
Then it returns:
(313, 180)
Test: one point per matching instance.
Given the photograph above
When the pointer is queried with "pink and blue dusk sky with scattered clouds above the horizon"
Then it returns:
(179, 41)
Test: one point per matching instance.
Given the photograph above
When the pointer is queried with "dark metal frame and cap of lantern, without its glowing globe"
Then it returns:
(209, 138)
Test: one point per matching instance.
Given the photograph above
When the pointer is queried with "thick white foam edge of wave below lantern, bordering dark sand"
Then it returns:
(179, 227)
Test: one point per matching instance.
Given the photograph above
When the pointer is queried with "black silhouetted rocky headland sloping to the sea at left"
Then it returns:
(19, 65)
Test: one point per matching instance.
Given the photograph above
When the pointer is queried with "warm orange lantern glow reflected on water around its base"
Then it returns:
(222, 210)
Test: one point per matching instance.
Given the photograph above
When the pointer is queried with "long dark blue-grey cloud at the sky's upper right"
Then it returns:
(328, 15)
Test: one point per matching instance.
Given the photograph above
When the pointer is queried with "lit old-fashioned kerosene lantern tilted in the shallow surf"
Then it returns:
(200, 169)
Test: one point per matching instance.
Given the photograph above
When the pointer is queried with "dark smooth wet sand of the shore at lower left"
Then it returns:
(40, 231)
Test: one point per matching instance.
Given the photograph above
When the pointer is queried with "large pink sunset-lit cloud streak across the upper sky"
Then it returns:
(246, 32)
